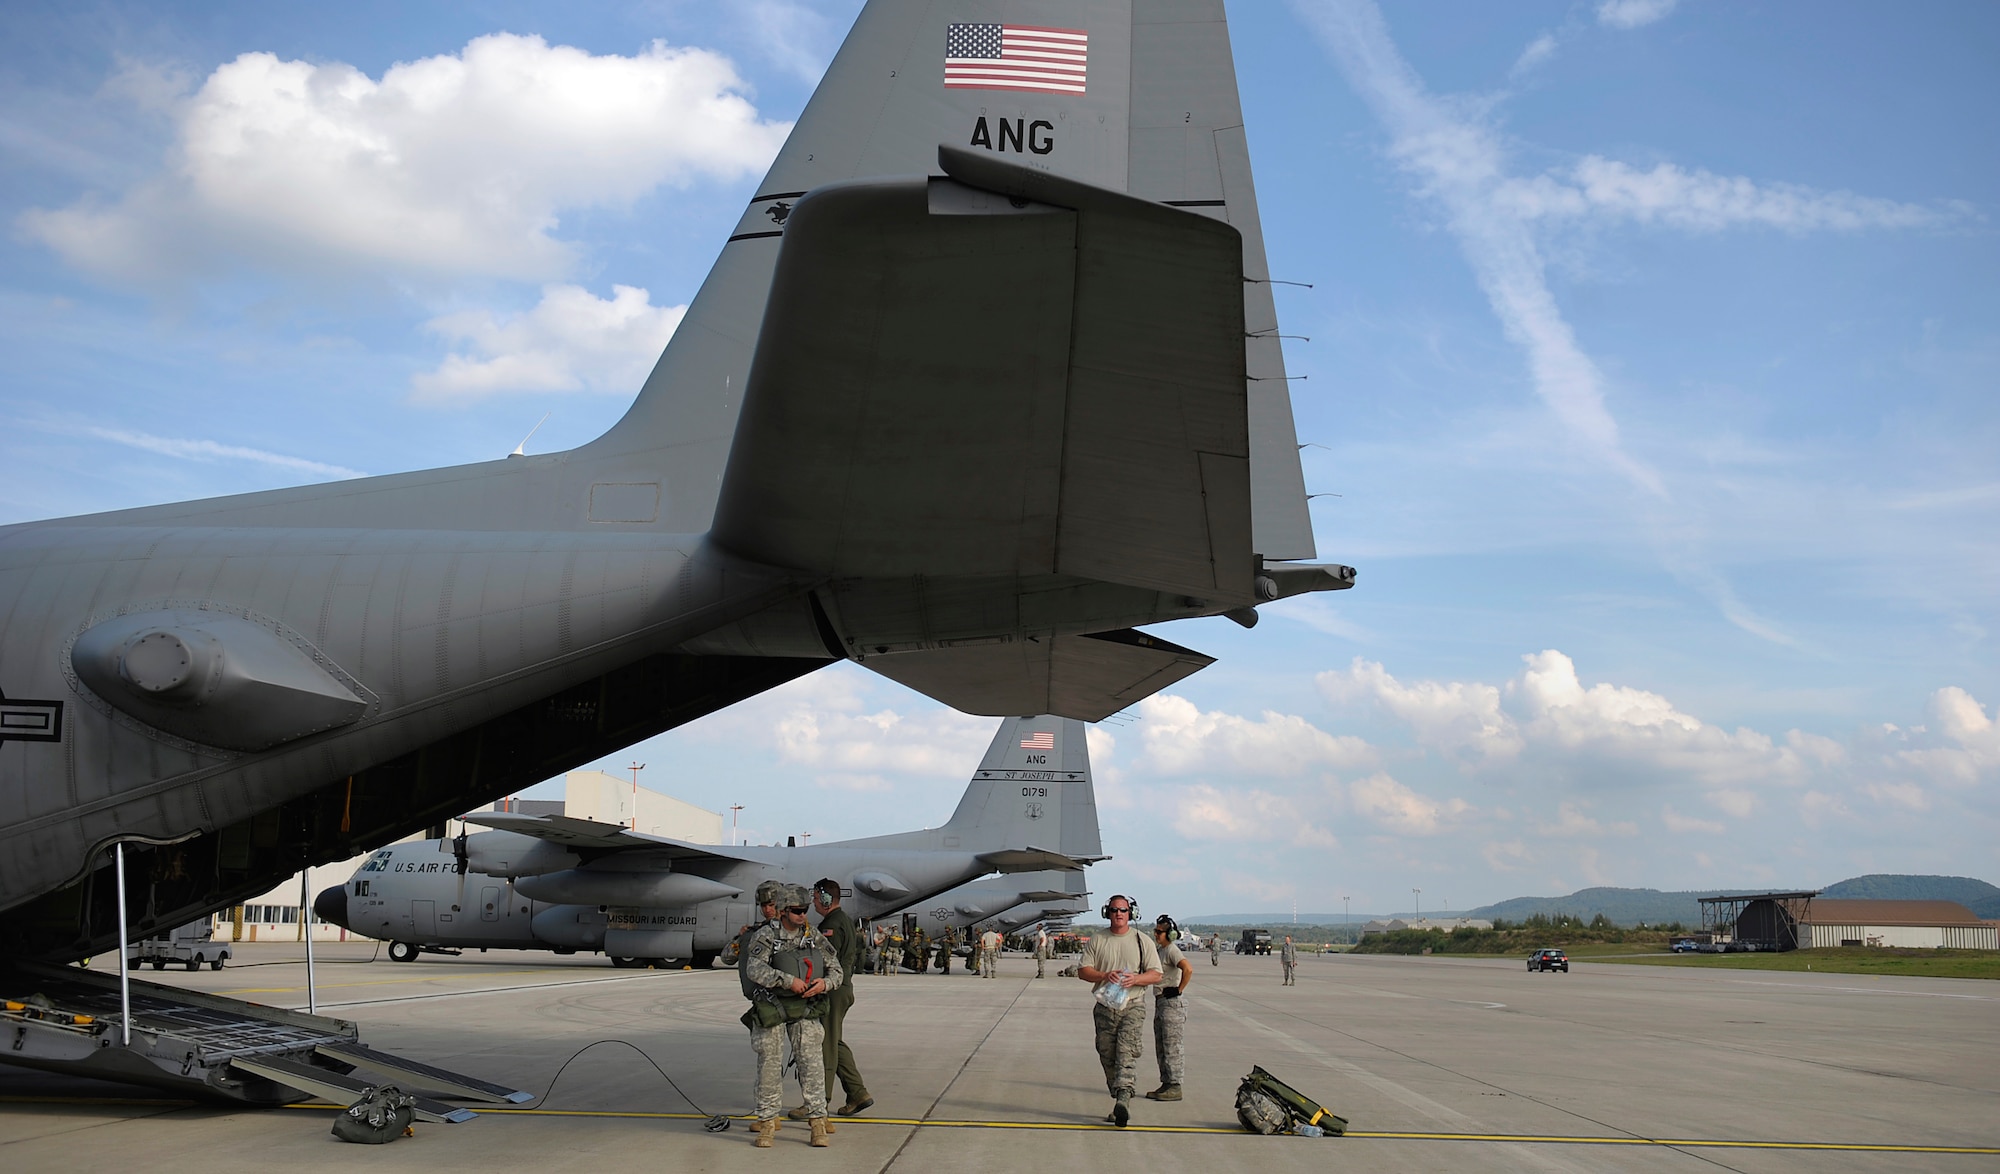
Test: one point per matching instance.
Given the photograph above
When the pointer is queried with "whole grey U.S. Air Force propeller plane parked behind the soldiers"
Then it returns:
(571, 885)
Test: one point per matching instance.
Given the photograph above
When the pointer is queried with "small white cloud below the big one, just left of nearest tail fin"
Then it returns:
(571, 341)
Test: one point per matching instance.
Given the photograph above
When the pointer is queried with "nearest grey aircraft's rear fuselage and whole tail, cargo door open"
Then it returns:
(985, 381)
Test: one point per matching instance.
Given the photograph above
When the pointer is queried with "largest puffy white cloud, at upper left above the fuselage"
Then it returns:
(451, 165)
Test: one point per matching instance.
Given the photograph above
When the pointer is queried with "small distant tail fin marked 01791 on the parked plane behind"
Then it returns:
(1033, 789)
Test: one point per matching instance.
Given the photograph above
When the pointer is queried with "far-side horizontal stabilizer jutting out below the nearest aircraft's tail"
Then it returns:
(1079, 677)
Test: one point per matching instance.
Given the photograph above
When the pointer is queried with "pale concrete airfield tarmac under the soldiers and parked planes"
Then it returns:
(1437, 1063)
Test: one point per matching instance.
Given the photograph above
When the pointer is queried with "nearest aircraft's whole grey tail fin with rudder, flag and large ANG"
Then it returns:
(1125, 95)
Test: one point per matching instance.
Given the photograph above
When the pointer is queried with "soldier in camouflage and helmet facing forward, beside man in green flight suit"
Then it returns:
(799, 1005)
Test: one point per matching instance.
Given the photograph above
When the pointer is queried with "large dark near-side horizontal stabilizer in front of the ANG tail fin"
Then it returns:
(1001, 373)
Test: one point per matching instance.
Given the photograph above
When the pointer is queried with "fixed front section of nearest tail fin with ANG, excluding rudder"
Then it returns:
(881, 111)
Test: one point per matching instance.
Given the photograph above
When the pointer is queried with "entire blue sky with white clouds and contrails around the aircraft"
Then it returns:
(1653, 355)
